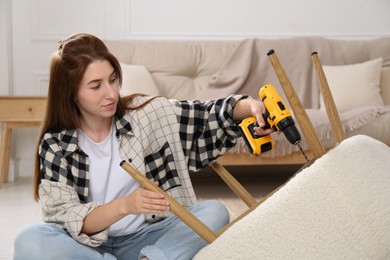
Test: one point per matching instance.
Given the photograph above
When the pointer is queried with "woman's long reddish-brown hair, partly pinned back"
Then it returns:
(68, 65)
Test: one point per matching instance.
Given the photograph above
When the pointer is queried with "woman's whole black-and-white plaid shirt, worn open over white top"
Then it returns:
(163, 140)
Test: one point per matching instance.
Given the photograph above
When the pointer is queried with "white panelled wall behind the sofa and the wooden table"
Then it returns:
(35, 26)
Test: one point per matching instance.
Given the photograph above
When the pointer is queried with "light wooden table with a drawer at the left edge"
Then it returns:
(17, 112)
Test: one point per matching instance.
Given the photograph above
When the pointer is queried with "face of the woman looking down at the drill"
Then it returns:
(98, 92)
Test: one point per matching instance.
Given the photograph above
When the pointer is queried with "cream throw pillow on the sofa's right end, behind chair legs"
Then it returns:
(355, 85)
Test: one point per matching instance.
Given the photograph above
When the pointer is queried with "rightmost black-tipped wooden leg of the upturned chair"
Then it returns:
(331, 109)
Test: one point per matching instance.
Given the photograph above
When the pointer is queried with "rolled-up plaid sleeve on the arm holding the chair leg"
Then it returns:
(58, 193)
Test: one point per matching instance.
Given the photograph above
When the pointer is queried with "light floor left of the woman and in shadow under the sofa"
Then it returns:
(17, 207)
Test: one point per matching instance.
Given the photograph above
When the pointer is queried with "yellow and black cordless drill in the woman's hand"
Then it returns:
(277, 116)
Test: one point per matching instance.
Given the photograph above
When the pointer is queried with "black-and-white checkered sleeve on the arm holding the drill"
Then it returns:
(207, 129)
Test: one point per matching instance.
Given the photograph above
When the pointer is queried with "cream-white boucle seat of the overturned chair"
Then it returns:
(338, 208)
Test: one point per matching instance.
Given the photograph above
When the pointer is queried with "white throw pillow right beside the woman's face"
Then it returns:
(137, 79)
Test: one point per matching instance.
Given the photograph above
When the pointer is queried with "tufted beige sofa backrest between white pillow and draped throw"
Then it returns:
(181, 70)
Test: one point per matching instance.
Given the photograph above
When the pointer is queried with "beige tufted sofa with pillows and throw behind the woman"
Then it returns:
(360, 82)
